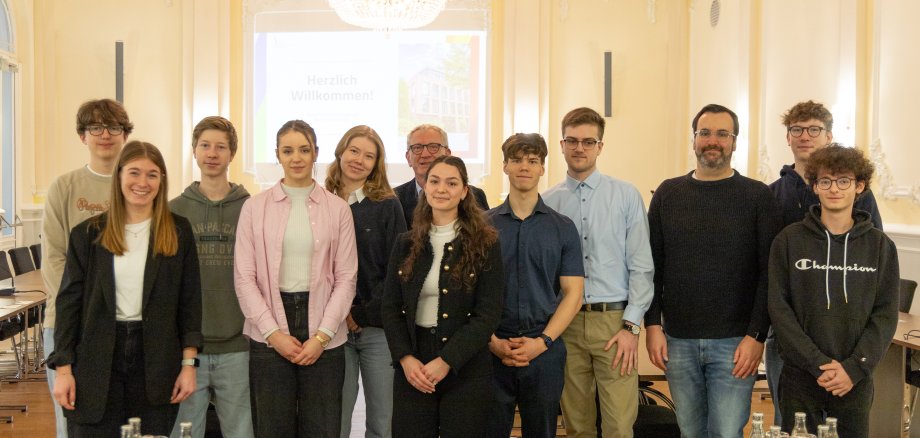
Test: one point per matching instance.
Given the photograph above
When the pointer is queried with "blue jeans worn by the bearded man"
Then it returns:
(710, 402)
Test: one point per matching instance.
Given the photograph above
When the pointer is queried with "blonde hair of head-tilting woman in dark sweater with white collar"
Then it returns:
(376, 186)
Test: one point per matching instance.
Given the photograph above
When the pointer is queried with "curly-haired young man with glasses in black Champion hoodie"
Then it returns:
(833, 297)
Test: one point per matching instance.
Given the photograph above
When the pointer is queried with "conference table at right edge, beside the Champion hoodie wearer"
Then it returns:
(886, 419)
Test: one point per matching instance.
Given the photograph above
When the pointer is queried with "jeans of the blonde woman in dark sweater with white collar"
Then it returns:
(368, 353)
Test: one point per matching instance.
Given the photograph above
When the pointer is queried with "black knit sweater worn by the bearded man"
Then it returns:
(710, 242)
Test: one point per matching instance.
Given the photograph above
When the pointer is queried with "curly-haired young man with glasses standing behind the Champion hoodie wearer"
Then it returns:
(808, 129)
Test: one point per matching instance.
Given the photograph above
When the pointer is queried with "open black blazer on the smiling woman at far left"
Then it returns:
(84, 334)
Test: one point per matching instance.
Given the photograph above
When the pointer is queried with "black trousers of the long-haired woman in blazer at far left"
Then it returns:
(127, 396)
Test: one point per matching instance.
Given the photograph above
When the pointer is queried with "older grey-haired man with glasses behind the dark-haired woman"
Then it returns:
(424, 144)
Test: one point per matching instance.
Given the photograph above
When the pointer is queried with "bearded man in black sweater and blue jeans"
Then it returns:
(711, 232)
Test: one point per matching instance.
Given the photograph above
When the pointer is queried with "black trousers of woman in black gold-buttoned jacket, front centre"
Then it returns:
(459, 405)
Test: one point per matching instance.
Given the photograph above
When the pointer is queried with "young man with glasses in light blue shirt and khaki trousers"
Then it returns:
(602, 340)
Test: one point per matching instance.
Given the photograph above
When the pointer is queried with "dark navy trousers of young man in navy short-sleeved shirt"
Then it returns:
(536, 389)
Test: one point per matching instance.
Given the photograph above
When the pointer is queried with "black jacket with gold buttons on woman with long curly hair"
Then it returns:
(466, 318)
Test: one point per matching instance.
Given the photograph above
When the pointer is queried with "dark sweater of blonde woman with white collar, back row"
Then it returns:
(377, 224)
